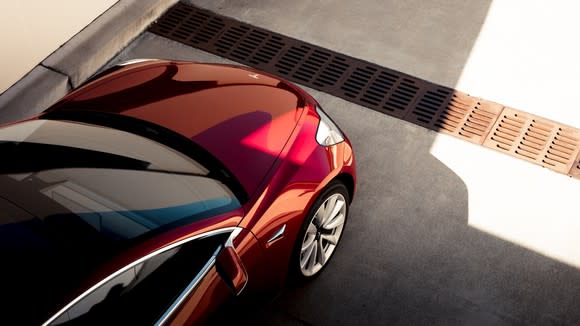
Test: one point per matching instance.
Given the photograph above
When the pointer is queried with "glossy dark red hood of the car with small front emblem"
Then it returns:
(241, 116)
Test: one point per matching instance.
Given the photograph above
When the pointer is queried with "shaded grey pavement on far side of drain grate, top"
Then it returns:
(427, 39)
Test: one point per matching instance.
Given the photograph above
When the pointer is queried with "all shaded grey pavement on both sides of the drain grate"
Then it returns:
(408, 255)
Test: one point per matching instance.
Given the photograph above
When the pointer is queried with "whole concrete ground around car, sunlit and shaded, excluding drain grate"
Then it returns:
(441, 231)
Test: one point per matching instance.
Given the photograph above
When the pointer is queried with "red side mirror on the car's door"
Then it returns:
(231, 269)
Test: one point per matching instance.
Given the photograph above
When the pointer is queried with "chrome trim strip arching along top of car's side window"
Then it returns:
(138, 261)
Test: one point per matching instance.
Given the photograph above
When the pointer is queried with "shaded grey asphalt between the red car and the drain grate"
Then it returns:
(409, 255)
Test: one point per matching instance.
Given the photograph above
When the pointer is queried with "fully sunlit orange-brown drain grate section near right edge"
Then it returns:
(535, 139)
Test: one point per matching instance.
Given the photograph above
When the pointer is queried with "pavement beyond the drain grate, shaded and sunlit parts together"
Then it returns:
(518, 53)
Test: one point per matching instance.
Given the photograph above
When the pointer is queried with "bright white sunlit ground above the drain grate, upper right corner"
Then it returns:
(527, 56)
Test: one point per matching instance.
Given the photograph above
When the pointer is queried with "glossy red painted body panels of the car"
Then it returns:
(261, 128)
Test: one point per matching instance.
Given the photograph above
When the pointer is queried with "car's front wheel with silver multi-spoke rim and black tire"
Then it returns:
(321, 232)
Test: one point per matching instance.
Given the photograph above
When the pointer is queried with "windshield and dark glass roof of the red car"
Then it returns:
(73, 195)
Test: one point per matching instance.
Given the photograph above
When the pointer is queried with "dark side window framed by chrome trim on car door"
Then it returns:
(141, 294)
